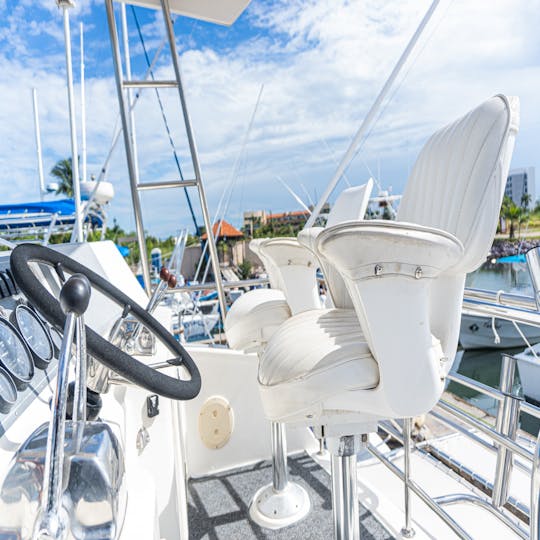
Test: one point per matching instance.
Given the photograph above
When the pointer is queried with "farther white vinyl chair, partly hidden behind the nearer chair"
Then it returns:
(256, 315)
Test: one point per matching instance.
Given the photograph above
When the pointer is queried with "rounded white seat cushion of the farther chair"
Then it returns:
(254, 317)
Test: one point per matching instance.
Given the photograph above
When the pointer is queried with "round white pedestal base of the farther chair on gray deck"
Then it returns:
(275, 509)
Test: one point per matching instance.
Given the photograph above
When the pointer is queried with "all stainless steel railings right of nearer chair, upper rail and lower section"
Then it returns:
(522, 517)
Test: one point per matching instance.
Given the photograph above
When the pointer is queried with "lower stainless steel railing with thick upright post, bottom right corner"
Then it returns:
(511, 512)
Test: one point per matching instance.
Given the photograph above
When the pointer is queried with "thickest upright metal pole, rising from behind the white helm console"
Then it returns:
(66, 5)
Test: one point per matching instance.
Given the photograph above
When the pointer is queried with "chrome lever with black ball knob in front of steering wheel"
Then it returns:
(52, 522)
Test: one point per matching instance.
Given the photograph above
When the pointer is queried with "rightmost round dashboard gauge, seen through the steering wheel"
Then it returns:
(35, 334)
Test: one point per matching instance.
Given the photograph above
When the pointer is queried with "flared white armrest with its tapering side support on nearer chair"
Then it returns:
(389, 269)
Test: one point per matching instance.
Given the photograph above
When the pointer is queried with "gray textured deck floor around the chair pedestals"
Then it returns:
(218, 505)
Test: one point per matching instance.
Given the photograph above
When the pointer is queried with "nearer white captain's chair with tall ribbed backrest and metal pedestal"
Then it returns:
(345, 369)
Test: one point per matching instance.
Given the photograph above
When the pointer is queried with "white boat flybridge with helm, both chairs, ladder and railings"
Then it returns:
(303, 426)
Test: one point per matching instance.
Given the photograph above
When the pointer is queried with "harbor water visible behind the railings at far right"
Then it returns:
(484, 365)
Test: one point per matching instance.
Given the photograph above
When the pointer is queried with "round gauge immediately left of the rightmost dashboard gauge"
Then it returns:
(15, 356)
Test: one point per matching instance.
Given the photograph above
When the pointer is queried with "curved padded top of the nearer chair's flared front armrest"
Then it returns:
(367, 249)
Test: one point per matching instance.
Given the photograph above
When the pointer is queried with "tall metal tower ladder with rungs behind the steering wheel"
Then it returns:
(135, 184)
